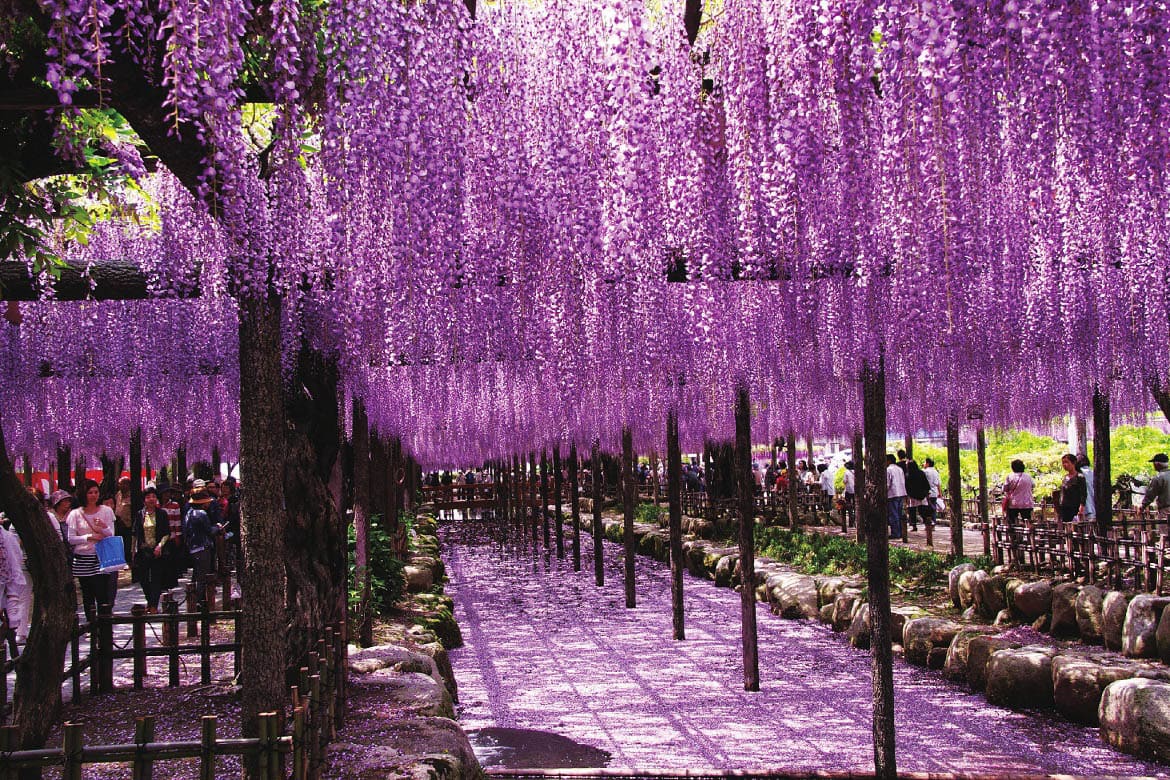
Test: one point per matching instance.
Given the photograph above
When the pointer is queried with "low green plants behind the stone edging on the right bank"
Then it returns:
(831, 556)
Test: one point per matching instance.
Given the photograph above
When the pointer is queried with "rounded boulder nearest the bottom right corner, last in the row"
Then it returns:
(1135, 717)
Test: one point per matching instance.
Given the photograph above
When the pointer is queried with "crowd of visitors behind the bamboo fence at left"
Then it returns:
(174, 533)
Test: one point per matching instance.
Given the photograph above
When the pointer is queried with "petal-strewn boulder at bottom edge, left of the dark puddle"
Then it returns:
(412, 748)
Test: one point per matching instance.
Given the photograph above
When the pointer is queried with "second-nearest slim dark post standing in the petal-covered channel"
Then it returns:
(746, 488)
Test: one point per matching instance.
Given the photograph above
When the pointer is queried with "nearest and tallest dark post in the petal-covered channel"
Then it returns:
(873, 398)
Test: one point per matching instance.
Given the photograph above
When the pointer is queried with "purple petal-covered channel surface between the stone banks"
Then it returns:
(548, 651)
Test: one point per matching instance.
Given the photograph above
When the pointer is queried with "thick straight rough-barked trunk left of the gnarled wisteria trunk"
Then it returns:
(264, 625)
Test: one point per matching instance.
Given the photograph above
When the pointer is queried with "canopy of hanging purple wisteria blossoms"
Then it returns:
(555, 219)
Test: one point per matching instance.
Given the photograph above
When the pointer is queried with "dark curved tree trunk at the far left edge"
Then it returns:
(38, 695)
